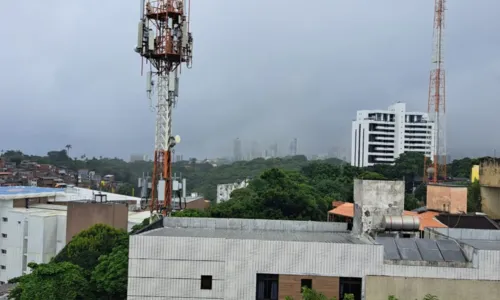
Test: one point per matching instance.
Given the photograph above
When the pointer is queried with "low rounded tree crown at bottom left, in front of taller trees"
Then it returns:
(52, 282)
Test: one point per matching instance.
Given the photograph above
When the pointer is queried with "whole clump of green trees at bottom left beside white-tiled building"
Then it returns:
(93, 265)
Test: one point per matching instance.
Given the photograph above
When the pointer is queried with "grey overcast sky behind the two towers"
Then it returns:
(263, 71)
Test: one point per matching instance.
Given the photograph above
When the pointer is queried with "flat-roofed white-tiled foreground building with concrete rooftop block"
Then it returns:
(242, 259)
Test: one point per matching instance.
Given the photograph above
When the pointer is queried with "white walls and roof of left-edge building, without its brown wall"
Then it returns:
(36, 233)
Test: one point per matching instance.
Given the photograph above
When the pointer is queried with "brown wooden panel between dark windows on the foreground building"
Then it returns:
(290, 285)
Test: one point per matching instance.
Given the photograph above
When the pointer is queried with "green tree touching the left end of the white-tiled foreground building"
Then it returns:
(111, 274)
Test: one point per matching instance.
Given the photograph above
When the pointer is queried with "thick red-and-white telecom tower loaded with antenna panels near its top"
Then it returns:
(165, 42)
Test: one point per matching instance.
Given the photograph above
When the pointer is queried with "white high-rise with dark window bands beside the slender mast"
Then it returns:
(380, 136)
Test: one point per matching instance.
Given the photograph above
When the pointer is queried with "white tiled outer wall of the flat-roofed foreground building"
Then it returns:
(170, 267)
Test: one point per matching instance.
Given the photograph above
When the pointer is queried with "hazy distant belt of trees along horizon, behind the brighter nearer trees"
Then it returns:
(203, 177)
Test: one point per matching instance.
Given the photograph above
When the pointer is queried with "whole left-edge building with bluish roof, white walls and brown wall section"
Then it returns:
(33, 226)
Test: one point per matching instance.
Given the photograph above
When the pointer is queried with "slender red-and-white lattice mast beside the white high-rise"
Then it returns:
(436, 170)
